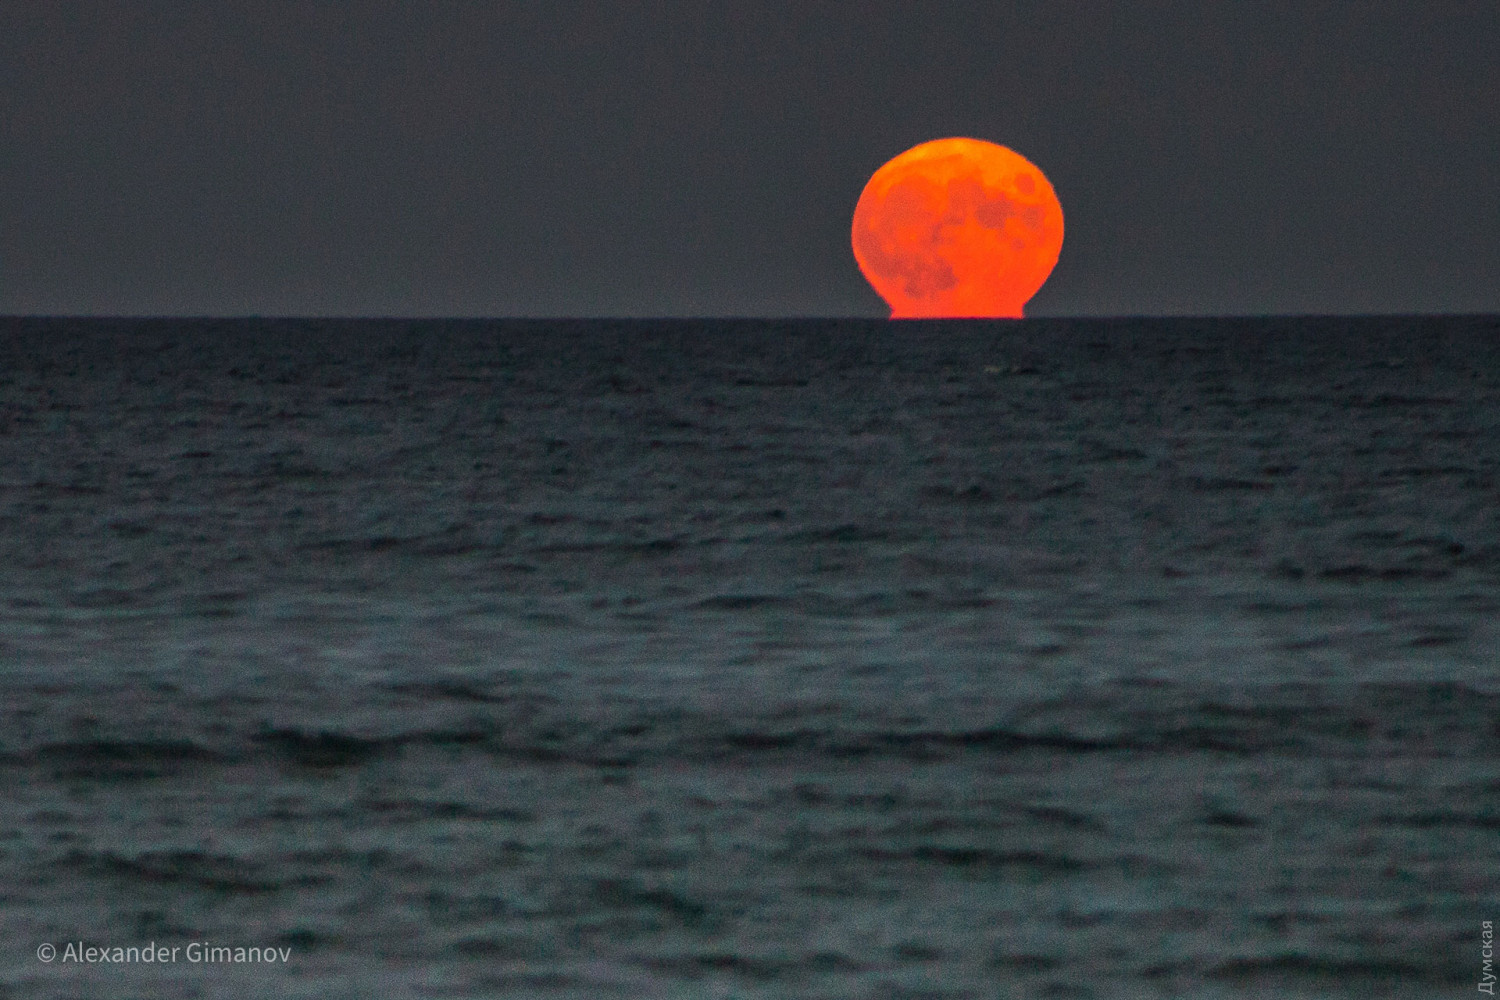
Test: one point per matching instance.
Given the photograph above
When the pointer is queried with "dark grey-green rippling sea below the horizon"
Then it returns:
(800, 659)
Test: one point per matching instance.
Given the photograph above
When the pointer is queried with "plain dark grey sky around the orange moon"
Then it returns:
(703, 158)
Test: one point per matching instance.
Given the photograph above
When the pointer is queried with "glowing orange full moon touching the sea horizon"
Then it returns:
(958, 229)
